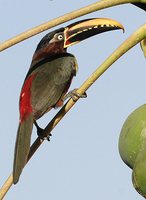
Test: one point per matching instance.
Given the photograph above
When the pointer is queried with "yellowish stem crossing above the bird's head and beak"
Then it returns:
(72, 15)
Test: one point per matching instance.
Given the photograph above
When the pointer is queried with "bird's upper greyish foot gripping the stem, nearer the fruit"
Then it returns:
(74, 94)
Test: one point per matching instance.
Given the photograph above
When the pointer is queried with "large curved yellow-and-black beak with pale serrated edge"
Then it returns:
(84, 29)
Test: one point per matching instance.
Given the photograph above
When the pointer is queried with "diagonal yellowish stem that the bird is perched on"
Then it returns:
(135, 38)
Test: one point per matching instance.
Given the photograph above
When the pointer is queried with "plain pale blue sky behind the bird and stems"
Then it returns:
(82, 160)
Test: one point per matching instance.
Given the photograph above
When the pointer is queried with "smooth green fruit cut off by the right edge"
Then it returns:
(132, 147)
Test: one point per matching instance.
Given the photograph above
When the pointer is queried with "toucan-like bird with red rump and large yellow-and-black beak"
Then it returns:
(49, 77)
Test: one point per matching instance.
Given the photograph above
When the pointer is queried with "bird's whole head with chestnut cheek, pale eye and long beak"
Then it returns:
(56, 42)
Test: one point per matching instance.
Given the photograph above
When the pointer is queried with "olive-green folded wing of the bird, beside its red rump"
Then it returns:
(52, 79)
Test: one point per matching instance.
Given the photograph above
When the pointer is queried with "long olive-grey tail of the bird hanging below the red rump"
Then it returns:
(22, 146)
